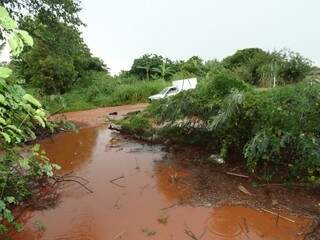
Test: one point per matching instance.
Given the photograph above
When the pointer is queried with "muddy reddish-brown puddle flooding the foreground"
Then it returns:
(142, 203)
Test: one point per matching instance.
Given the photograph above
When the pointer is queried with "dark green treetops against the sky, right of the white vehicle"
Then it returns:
(265, 69)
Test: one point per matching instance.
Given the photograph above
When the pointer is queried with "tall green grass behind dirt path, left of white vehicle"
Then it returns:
(96, 89)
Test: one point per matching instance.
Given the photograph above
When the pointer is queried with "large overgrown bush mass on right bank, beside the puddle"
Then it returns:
(274, 132)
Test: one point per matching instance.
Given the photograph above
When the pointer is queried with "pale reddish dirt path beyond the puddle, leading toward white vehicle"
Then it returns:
(96, 117)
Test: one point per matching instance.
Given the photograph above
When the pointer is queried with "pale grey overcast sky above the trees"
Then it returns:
(120, 30)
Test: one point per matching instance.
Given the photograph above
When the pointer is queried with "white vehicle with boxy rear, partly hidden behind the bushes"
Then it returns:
(177, 87)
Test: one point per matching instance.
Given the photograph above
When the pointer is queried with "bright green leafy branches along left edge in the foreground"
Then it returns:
(20, 114)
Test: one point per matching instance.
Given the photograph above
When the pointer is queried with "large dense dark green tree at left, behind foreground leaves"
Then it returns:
(58, 59)
